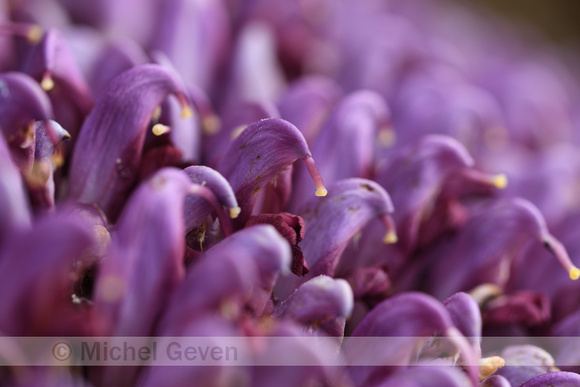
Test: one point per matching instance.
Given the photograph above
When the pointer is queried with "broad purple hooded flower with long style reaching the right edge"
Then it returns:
(513, 224)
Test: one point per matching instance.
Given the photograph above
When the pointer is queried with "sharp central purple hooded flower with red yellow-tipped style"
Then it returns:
(263, 150)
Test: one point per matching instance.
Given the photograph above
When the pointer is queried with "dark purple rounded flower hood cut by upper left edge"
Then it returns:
(22, 101)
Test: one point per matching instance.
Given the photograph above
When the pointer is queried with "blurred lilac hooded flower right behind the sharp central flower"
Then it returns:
(345, 145)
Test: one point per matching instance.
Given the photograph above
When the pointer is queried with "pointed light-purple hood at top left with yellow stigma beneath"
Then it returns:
(52, 63)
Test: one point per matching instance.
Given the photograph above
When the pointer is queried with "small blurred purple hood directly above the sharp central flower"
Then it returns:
(307, 103)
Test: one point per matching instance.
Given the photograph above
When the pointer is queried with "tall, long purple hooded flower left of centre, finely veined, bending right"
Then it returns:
(105, 161)
